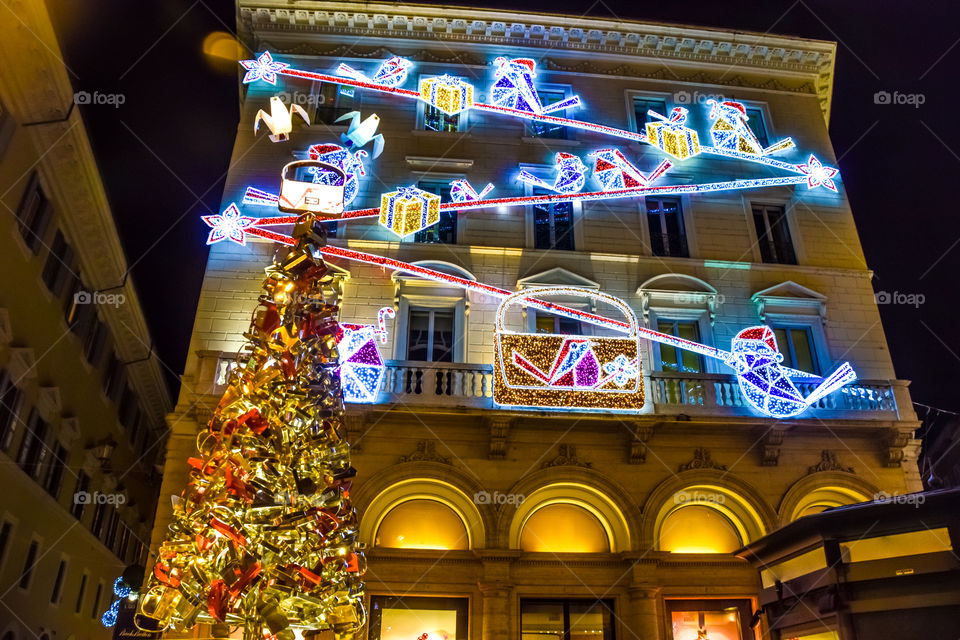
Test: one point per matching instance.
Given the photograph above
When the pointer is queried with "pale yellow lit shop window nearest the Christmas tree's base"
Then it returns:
(405, 617)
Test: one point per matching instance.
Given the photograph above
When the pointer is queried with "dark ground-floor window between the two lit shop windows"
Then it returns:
(566, 619)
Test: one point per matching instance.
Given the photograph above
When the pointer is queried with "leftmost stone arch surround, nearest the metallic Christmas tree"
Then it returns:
(423, 480)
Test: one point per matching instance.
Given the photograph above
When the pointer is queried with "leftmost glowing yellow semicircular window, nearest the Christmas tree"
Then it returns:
(422, 524)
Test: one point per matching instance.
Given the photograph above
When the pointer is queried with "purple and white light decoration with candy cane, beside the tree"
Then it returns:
(361, 366)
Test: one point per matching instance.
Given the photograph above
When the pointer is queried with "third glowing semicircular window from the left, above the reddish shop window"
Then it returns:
(698, 529)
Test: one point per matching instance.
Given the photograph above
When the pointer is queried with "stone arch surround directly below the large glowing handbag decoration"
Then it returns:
(603, 498)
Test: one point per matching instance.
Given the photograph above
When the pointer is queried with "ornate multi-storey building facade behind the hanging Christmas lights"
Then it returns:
(489, 522)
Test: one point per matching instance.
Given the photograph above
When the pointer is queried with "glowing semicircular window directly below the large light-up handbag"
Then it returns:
(564, 528)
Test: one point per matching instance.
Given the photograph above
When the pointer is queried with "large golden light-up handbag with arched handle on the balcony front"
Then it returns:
(550, 370)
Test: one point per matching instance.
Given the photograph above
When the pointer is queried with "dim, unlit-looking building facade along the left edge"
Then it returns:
(82, 396)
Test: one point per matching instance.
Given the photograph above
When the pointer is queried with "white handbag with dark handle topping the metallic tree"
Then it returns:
(299, 193)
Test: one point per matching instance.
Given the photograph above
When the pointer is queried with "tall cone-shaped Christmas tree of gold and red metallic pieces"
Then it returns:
(264, 535)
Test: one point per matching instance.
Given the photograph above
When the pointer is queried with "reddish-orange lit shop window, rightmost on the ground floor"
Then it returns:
(710, 619)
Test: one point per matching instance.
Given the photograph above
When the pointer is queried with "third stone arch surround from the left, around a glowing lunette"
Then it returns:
(738, 501)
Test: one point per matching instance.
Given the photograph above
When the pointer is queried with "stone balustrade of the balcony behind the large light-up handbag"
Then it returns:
(470, 386)
